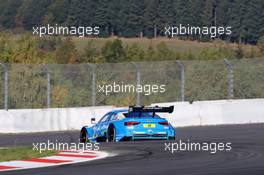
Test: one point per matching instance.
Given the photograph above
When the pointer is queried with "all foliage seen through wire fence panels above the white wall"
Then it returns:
(71, 84)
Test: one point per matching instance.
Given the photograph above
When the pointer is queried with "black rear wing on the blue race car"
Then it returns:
(151, 109)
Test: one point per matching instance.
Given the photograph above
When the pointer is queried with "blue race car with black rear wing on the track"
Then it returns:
(134, 123)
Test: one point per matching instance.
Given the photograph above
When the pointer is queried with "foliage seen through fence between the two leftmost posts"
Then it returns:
(27, 86)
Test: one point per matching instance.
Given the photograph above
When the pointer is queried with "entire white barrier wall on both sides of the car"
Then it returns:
(185, 114)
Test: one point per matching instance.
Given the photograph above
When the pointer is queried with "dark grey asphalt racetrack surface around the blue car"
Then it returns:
(150, 158)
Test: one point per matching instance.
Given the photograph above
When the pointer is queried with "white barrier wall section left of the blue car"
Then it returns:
(56, 119)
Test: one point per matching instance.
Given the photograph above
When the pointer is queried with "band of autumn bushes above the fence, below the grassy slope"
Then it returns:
(28, 49)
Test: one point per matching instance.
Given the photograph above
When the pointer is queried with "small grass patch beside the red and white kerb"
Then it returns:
(22, 153)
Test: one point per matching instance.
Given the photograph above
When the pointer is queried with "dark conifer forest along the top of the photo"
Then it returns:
(139, 18)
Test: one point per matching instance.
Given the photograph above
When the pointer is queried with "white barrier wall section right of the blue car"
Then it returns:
(216, 112)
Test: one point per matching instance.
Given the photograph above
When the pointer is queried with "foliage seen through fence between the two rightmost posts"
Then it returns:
(205, 80)
